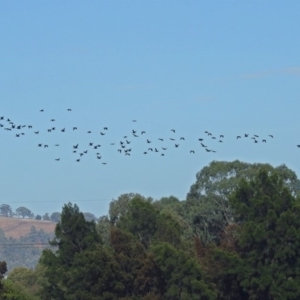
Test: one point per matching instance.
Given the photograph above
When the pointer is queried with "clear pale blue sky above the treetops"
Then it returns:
(226, 67)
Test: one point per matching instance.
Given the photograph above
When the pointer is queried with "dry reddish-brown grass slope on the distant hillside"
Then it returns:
(15, 227)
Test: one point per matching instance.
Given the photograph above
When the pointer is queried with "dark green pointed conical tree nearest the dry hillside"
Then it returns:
(73, 269)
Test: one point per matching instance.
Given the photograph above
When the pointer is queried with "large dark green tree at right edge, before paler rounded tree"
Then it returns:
(266, 263)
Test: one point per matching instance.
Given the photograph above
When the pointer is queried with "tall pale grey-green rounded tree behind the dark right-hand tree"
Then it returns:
(207, 208)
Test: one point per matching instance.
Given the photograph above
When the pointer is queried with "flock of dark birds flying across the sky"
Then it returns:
(124, 145)
